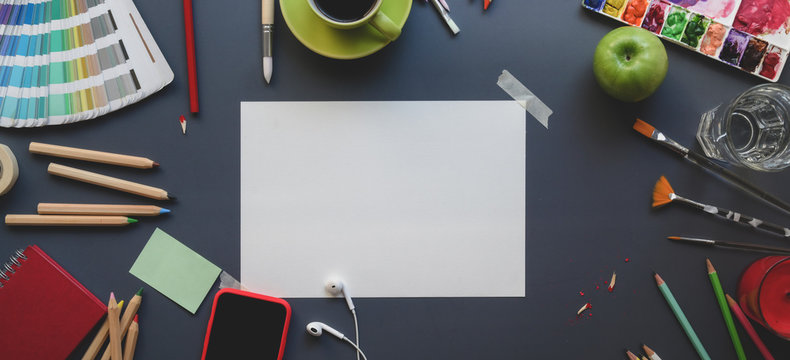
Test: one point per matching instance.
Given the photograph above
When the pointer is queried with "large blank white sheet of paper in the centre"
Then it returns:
(397, 198)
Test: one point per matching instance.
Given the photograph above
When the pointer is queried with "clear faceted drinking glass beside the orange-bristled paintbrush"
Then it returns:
(752, 131)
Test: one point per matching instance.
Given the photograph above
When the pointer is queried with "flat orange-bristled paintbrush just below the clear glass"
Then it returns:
(710, 166)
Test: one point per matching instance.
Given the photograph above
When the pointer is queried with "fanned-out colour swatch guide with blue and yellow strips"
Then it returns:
(63, 61)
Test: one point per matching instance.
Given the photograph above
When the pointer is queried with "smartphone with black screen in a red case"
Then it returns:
(246, 326)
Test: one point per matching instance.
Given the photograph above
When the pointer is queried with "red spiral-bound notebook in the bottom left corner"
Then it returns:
(44, 312)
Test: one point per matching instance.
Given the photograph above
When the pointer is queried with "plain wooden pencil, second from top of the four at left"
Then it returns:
(108, 182)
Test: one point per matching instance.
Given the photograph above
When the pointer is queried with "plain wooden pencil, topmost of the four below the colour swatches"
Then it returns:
(92, 155)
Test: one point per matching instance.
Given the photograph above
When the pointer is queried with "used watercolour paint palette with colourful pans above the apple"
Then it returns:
(751, 35)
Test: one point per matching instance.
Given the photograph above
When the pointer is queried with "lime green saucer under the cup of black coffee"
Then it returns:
(335, 43)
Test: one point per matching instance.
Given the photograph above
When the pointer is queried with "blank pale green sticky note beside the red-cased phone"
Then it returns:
(175, 270)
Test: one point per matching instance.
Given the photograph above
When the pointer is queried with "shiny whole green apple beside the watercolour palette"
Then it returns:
(630, 63)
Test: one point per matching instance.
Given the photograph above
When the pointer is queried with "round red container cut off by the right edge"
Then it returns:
(763, 293)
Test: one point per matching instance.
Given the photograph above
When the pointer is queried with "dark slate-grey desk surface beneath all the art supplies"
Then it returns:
(589, 183)
